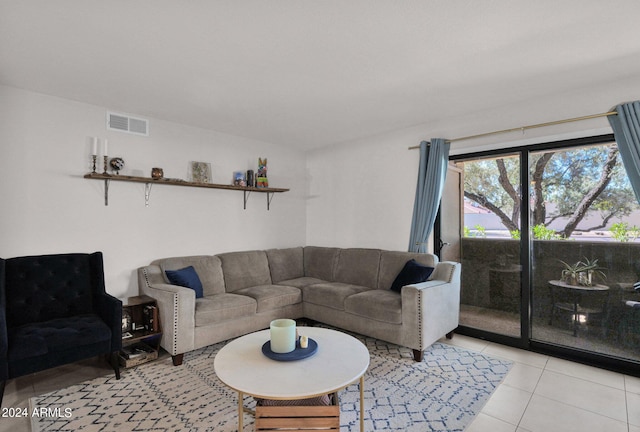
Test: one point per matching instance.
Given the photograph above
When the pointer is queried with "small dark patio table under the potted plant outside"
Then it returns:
(575, 293)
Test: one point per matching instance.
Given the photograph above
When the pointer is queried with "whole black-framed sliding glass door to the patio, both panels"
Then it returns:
(550, 249)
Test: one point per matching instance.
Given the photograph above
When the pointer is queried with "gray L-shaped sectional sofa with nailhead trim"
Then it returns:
(345, 288)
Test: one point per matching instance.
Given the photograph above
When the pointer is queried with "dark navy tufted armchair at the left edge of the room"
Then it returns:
(54, 310)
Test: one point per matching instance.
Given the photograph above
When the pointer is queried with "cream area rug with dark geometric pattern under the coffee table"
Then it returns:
(442, 393)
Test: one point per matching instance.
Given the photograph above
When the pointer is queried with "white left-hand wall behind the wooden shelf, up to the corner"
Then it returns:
(47, 207)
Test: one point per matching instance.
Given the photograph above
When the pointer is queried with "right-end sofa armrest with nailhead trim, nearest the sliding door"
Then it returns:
(431, 309)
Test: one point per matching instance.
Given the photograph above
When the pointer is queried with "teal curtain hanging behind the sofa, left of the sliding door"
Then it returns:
(434, 158)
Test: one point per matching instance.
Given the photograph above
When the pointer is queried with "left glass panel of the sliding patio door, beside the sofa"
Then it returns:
(490, 243)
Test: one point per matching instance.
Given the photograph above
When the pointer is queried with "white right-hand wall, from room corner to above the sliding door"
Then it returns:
(361, 193)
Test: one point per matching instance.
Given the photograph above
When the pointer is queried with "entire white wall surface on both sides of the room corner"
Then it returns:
(359, 194)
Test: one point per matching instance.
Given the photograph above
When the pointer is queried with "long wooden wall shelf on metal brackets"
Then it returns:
(148, 182)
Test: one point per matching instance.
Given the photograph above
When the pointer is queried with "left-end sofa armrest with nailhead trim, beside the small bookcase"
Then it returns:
(177, 307)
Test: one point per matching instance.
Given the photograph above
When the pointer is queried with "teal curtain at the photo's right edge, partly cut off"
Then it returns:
(626, 128)
